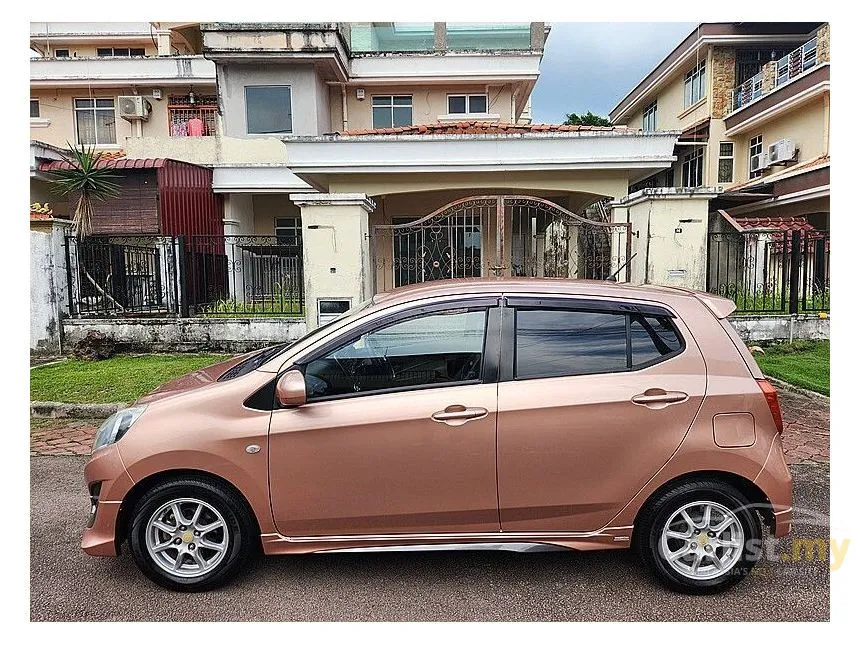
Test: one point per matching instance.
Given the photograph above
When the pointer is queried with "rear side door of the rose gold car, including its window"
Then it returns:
(594, 398)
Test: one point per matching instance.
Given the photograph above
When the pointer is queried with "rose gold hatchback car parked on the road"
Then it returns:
(488, 413)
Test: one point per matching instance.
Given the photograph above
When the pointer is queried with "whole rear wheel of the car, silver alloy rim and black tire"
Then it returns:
(699, 537)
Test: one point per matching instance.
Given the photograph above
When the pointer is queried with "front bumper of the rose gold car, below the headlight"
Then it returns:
(105, 467)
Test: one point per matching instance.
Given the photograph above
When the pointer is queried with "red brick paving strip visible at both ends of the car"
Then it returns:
(806, 436)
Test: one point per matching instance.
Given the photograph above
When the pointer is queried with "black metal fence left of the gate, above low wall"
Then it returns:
(200, 275)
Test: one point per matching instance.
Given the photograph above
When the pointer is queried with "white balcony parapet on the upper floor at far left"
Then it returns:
(110, 71)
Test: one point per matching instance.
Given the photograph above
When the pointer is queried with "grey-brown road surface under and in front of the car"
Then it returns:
(440, 586)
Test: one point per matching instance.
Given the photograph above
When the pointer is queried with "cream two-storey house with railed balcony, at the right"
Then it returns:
(753, 103)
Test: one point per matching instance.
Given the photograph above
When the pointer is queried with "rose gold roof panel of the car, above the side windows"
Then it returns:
(560, 286)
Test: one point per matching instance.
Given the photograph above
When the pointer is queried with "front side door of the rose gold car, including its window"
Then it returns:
(398, 435)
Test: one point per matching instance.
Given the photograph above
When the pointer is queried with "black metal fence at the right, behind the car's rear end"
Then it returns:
(785, 272)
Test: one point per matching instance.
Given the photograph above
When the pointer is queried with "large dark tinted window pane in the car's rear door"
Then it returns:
(565, 343)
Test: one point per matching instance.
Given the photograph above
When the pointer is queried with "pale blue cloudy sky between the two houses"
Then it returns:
(591, 66)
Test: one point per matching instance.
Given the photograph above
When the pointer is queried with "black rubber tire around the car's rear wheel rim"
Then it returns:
(657, 512)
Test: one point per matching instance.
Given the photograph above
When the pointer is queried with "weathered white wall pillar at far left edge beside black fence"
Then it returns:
(49, 292)
